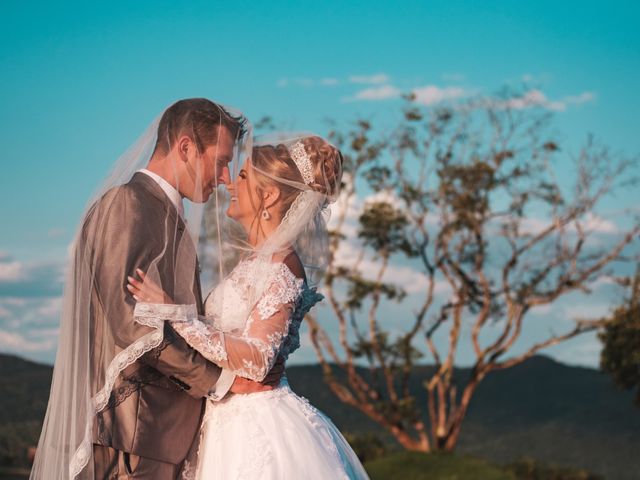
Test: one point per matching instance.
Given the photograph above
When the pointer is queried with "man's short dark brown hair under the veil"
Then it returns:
(199, 118)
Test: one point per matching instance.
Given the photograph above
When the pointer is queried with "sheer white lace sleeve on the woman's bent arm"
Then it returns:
(252, 353)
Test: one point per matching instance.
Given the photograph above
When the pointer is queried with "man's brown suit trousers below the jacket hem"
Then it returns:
(111, 464)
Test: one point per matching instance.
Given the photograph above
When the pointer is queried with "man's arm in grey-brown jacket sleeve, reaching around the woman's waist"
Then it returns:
(124, 240)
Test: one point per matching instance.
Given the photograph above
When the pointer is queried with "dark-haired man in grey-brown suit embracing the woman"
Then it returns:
(155, 407)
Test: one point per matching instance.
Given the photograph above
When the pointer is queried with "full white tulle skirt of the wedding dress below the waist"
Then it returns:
(273, 435)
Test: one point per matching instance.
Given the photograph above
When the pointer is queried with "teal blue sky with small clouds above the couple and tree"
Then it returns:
(80, 81)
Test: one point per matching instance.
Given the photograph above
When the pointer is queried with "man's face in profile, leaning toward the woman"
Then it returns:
(210, 168)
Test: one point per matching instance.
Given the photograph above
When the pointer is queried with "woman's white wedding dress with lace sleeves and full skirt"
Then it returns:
(268, 435)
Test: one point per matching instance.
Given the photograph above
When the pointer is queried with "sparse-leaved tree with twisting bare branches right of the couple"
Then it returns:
(466, 195)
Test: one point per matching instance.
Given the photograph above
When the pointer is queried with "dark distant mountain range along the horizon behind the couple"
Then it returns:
(541, 409)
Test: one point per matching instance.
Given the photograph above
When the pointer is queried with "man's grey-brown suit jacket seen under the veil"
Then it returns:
(156, 405)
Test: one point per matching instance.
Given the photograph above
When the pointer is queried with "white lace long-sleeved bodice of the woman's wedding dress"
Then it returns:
(237, 333)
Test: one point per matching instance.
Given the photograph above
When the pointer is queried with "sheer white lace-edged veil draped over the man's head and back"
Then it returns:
(91, 355)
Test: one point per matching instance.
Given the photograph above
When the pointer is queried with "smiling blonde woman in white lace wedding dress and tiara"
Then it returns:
(254, 314)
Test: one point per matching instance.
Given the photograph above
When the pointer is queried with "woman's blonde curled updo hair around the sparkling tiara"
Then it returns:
(276, 161)
